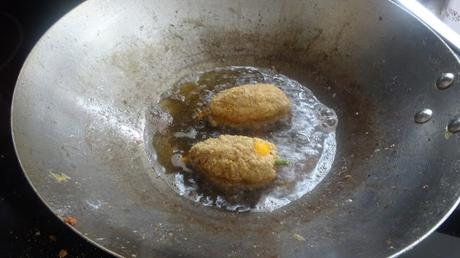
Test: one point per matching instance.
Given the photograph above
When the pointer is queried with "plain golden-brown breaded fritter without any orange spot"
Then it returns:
(250, 105)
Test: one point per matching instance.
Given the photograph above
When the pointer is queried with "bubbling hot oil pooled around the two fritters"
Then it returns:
(306, 138)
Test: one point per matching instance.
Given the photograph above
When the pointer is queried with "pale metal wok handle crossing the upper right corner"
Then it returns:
(443, 31)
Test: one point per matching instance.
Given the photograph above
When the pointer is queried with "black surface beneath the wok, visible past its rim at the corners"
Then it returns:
(27, 227)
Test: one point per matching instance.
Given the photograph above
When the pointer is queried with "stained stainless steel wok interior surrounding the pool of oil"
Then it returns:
(79, 115)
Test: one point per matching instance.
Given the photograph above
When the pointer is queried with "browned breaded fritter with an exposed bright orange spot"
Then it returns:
(232, 160)
